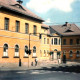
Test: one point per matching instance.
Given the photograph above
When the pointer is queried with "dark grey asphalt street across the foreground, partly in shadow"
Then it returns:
(45, 73)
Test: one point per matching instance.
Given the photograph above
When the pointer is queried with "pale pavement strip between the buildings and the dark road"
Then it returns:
(46, 64)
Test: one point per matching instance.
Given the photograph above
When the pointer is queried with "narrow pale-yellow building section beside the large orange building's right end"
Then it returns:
(45, 43)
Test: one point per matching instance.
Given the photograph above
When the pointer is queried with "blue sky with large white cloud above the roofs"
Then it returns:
(55, 12)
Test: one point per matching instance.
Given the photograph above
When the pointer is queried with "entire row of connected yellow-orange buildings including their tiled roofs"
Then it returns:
(20, 30)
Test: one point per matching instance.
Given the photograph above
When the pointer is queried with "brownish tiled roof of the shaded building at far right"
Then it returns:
(70, 29)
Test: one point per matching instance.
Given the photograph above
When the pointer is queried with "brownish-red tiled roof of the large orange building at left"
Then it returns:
(8, 4)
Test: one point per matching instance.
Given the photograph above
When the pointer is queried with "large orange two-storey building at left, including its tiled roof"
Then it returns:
(18, 28)
